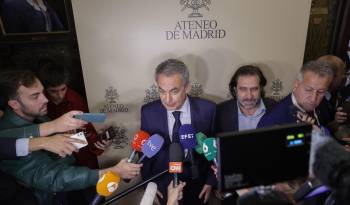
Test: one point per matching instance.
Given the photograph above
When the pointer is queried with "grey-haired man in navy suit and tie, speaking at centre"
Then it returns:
(159, 117)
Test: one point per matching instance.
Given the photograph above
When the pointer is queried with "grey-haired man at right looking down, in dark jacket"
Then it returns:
(304, 102)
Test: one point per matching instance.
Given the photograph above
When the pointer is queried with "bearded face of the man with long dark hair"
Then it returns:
(248, 91)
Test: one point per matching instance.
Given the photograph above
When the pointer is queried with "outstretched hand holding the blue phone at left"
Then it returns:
(62, 124)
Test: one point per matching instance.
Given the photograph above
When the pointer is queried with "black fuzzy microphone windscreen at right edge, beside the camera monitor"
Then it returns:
(328, 161)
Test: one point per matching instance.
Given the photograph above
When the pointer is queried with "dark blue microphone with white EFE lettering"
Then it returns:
(187, 136)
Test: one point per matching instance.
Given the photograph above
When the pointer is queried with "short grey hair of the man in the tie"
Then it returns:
(171, 67)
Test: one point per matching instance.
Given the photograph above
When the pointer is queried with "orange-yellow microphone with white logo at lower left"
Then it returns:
(105, 186)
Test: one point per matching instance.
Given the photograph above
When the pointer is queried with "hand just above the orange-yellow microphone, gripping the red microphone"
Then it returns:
(126, 170)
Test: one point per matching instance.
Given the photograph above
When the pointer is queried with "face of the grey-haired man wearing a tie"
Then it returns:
(172, 91)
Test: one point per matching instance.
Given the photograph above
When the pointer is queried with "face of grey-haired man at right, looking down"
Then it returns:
(310, 92)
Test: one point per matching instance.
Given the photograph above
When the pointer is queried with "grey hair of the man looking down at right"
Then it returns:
(321, 68)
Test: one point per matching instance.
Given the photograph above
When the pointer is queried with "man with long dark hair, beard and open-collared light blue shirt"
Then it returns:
(248, 104)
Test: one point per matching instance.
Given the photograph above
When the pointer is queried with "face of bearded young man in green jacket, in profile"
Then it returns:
(30, 102)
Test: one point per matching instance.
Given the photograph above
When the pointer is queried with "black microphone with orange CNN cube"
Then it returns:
(176, 156)
